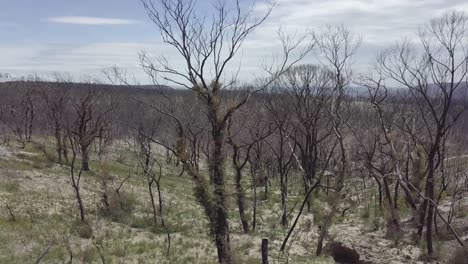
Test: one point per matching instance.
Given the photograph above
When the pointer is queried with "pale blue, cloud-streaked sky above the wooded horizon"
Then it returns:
(84, 37)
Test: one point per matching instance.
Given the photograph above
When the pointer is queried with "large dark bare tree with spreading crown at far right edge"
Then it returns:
(432, 79)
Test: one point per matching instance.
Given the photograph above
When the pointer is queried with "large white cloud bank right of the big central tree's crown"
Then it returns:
(379, 23)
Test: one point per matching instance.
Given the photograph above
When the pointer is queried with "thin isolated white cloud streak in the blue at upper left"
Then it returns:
(84, 20)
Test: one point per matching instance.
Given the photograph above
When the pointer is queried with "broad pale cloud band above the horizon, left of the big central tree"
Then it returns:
(80, 60)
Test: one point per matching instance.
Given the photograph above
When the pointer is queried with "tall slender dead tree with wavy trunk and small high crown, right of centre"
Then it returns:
(337, 46)
